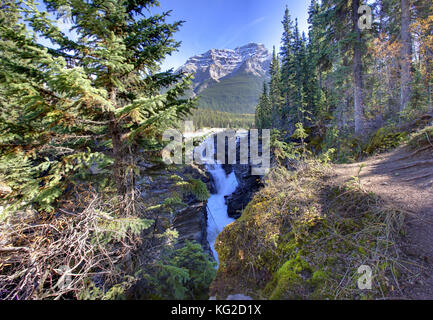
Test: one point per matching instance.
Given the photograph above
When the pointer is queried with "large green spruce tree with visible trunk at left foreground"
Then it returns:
(87, 100)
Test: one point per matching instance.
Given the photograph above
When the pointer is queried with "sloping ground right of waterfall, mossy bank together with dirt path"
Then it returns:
(306, 233)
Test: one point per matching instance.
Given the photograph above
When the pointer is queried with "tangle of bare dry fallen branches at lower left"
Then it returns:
(55, 260)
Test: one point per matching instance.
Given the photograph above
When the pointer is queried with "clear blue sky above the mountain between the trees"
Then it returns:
(227, 24)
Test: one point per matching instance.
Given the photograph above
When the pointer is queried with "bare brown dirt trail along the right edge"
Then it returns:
(405, 180)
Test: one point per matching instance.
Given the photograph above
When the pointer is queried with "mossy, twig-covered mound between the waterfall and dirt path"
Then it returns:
(302, 237)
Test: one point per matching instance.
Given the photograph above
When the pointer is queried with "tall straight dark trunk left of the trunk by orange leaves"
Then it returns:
(357, 73)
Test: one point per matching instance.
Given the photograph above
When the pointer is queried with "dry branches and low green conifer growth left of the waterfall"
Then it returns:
(85, 249)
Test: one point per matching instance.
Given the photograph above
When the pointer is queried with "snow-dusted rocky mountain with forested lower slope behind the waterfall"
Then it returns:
(229, 80)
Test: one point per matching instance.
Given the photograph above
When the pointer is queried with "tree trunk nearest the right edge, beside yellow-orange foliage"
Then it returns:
(406, 56)
